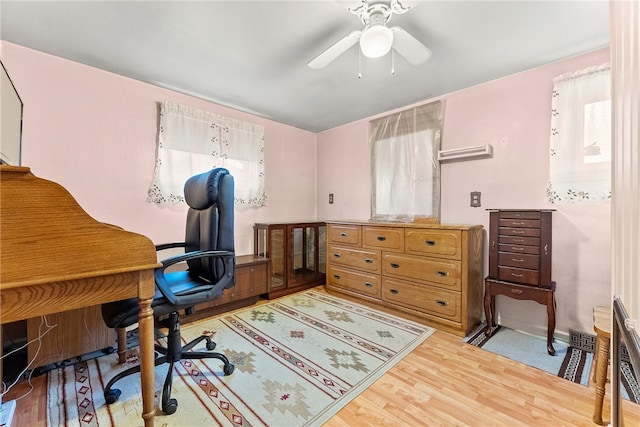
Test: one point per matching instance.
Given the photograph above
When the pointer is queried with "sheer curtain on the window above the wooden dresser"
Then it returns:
(405, 168)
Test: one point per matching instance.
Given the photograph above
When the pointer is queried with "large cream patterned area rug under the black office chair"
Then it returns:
(298, 361)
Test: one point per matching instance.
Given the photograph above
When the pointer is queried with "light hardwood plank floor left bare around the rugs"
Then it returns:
(444, 382)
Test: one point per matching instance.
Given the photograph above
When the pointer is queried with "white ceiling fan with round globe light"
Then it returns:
(376, 39)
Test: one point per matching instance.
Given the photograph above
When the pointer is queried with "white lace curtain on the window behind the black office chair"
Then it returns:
(192, 141)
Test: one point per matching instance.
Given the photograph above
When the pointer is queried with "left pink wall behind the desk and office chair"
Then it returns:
(95, 133)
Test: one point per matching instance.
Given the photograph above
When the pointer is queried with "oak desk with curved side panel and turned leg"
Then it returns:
(55, 257)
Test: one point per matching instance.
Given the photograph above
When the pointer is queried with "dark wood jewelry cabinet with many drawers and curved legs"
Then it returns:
(520, 263)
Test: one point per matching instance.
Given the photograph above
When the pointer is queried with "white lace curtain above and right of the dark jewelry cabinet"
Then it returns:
(580, 156)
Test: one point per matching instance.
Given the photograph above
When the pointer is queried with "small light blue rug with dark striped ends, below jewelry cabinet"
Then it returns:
(570, 363)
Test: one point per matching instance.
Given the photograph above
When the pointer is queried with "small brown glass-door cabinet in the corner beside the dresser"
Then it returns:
(296, 253)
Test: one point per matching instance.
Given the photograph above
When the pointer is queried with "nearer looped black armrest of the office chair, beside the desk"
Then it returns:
(164, 287)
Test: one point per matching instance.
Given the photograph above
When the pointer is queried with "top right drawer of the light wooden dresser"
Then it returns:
(437, 242)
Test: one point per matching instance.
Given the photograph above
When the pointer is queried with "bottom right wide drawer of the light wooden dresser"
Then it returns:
(438, 302)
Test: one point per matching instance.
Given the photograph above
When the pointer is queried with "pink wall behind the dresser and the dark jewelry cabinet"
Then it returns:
(512, 114)
